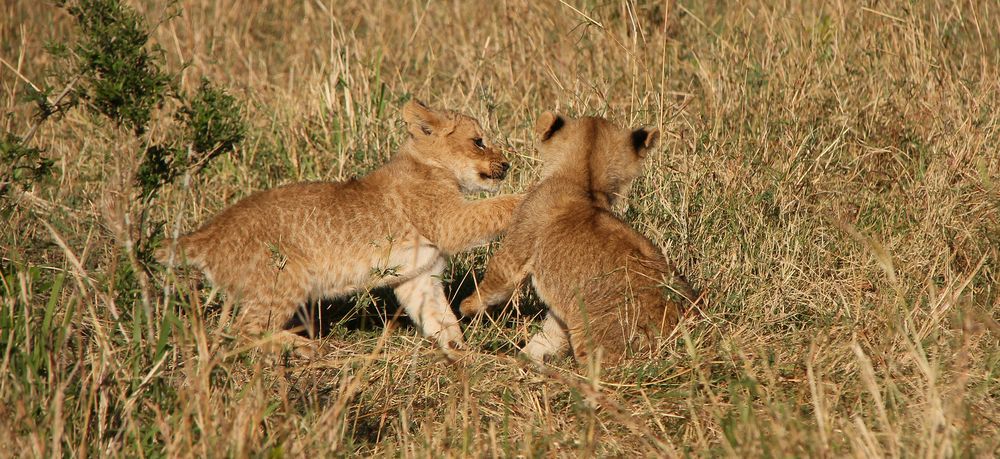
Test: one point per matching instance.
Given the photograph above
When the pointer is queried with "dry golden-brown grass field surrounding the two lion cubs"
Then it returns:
(830, 175)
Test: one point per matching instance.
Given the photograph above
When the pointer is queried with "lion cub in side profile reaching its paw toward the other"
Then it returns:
(278, 249)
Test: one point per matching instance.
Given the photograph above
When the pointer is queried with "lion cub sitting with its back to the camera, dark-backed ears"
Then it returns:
(605, 285)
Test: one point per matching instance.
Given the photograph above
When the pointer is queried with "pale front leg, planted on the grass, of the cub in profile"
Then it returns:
(424, 301)
